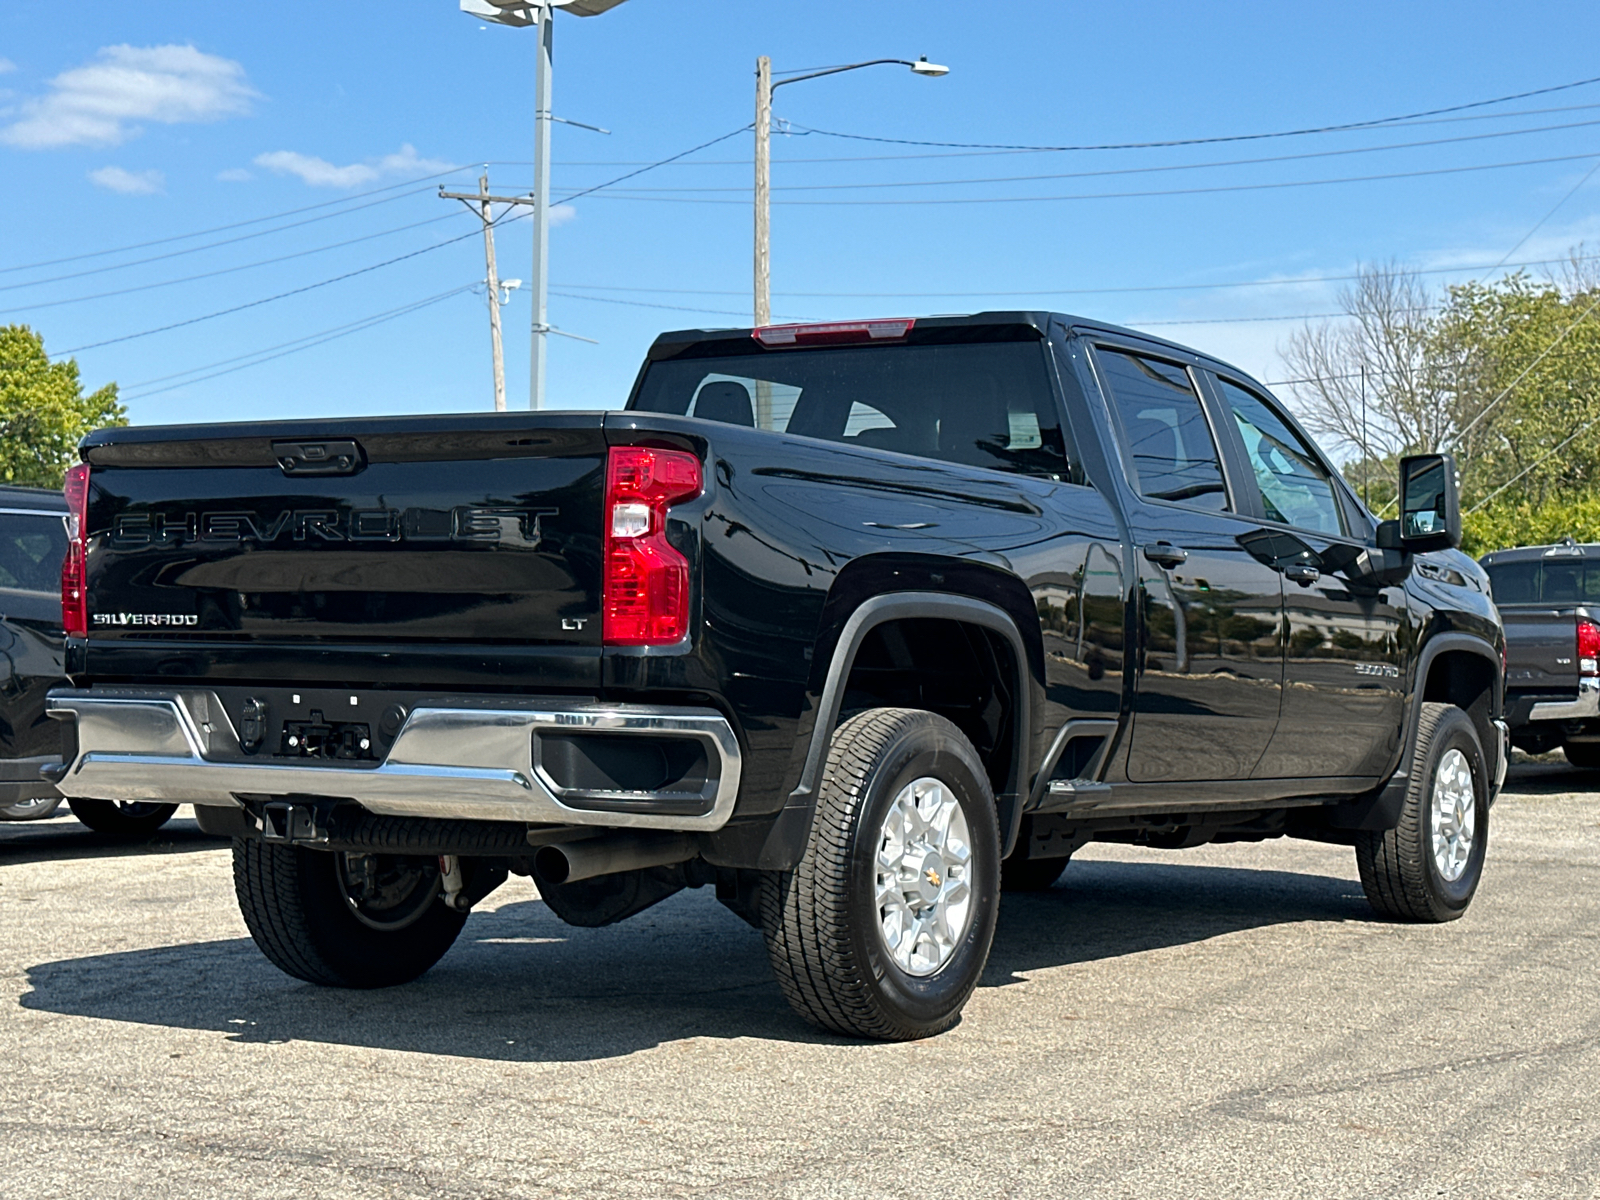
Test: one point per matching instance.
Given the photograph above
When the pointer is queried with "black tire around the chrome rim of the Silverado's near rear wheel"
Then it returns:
(822, 921)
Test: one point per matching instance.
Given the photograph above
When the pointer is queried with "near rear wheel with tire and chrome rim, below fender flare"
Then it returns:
(886, 926)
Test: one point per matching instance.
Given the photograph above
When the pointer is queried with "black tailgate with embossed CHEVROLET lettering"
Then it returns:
(449, 530)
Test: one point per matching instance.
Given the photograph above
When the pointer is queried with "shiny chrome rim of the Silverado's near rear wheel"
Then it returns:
(924, 878)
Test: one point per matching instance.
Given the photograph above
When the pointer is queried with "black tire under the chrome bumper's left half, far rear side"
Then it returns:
(298, 906)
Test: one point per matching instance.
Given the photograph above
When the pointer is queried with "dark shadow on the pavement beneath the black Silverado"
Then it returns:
(521, 986)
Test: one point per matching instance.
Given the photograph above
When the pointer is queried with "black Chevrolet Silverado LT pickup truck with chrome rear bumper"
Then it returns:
(855, 623)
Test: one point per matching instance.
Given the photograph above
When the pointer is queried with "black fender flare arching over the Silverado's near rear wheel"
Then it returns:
(788, 836)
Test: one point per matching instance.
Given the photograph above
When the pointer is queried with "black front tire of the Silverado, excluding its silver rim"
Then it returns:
(1399, 870)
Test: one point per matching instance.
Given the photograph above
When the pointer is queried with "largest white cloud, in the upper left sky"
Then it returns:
(98, 105)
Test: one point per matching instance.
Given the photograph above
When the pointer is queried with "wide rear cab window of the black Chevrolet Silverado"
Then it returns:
(983, 404)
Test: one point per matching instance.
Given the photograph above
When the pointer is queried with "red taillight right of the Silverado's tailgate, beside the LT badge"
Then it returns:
(647, 583)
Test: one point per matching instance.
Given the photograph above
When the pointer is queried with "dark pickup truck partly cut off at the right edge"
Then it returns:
(1550, 599)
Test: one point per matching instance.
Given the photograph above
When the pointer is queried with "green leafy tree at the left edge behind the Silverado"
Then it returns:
(44, 410)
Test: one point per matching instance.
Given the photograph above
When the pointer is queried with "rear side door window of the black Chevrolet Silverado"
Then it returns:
(1166, 430)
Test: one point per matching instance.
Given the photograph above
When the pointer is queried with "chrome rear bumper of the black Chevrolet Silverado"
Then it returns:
(476, 761)
